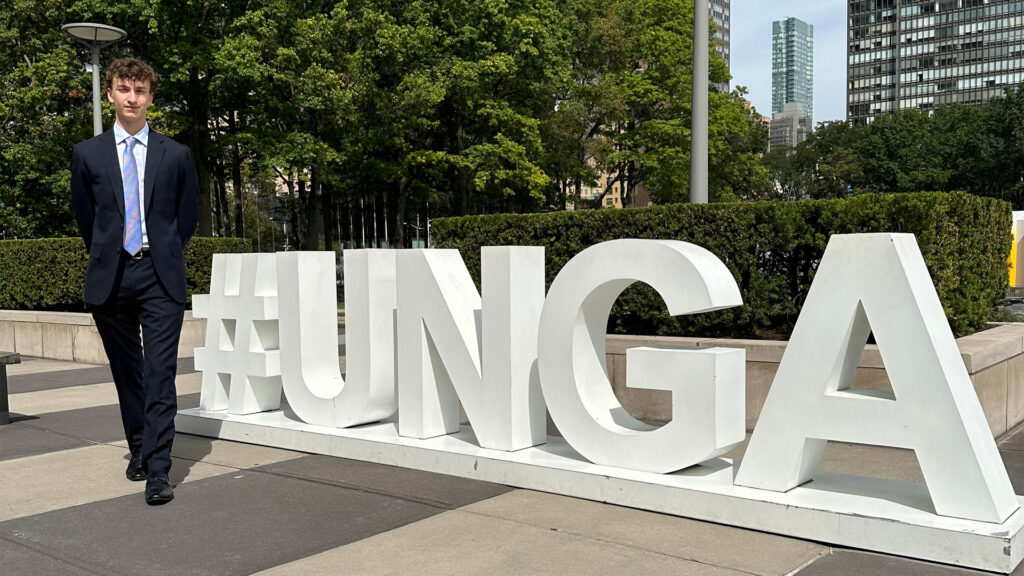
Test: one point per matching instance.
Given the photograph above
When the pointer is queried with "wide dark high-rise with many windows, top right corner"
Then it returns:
(920, 55)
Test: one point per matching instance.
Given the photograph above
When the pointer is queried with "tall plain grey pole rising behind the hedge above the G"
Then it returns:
(702, 81)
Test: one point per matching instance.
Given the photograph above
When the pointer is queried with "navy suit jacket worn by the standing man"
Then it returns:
(172, 211)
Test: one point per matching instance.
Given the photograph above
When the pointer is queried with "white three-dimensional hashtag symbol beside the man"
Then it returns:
(241, 363)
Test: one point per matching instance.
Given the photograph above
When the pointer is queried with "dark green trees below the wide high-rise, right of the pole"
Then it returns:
(957, 148)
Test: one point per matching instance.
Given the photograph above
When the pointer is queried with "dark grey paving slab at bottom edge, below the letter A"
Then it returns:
(856, 563)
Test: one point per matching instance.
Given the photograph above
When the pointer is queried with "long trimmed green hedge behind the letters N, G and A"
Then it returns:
(773, 250)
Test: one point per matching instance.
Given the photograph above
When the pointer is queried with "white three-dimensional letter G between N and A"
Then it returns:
(707, 386)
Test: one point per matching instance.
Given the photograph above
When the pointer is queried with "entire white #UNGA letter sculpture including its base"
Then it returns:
(421, 338)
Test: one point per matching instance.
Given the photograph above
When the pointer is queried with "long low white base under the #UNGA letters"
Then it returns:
(883, 516)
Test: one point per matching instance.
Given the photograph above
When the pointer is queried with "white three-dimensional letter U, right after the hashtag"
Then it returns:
(312, 380)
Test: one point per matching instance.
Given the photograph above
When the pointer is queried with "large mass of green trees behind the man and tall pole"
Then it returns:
(367, 114)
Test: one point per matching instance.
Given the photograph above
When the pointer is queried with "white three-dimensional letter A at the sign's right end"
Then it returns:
(879, 283)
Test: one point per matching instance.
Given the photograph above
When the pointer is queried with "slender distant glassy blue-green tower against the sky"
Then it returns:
(793, 66)
